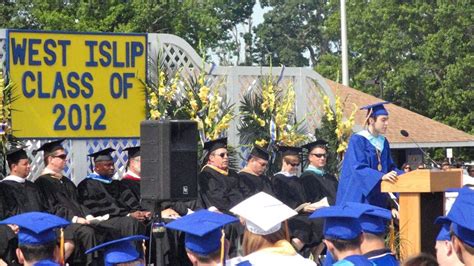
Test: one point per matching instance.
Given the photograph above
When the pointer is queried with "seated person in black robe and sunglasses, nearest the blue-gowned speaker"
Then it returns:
(316, 181)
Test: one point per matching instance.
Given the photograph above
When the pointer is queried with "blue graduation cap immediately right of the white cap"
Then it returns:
(341, 221)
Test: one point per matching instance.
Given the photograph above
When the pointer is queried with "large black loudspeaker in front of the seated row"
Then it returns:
(169, 163)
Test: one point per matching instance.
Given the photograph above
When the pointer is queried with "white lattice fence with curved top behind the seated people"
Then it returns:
(177, 53)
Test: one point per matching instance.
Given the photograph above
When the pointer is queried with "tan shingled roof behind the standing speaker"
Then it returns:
(426, 132)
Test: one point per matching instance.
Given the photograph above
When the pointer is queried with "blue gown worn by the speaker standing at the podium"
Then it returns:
(360, 179)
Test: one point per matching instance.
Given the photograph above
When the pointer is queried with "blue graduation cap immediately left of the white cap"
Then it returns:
(203, 230)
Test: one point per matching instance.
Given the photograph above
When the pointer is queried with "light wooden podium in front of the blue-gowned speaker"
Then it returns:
(421, 201)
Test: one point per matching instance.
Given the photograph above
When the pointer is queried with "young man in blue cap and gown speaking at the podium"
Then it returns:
(368, 161)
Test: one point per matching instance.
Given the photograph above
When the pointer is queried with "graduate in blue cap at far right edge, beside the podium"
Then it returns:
(462, 225)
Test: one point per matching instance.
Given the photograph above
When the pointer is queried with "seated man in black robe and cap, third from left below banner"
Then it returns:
(103, 196)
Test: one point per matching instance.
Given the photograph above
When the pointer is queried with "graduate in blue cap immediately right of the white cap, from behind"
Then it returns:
(343, 234)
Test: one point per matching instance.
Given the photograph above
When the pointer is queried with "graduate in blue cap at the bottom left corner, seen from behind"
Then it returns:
(37, 238)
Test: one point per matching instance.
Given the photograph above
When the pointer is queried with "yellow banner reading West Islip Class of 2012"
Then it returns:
(77, 85)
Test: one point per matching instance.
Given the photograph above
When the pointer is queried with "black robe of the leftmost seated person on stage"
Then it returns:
(20, 198)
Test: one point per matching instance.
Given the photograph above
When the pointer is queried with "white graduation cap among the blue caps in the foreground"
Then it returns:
(263, 213)
